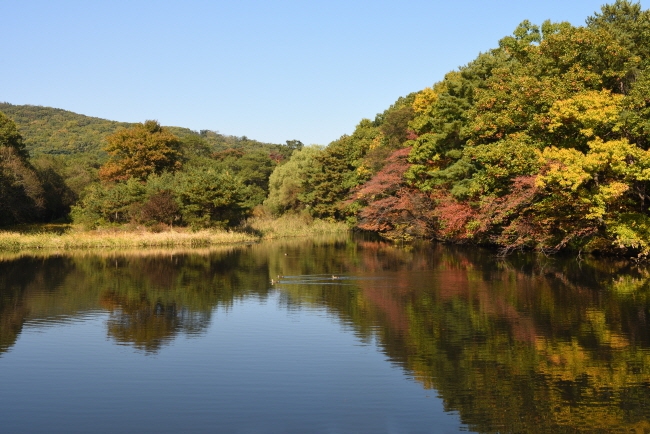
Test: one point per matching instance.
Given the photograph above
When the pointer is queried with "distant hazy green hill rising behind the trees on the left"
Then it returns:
(48, 130)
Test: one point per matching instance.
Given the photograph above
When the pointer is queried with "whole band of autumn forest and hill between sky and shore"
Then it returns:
(541, 143)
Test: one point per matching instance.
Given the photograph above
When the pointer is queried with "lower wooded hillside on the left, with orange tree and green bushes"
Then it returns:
(53, 159)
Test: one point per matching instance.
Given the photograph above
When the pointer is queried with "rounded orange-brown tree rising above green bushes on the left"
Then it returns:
(141, 151)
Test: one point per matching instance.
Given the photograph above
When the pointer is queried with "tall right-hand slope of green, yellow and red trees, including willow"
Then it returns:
(541, 143)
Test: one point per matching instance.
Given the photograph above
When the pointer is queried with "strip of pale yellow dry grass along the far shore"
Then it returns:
(253, 230)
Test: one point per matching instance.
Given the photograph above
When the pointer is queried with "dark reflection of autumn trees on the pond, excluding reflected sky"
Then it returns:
(525, 343)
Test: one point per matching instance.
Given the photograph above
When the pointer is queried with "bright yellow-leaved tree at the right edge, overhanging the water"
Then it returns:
(599, 189)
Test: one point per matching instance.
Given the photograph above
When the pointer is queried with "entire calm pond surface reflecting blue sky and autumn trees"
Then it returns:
(331, 336)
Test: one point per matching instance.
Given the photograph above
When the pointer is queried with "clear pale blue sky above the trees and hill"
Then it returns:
(270, 70)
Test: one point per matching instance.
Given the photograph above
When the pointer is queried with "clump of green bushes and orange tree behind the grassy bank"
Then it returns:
(144, 182)
